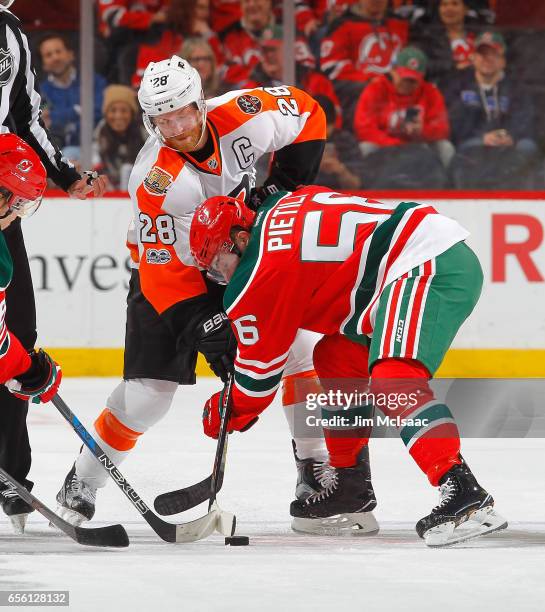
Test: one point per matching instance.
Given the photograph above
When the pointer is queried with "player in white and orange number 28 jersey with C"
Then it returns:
(196, 149)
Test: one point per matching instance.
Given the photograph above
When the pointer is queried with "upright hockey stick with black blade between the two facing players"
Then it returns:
(181, 500)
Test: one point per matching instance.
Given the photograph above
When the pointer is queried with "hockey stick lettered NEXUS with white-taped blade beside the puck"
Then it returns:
(183, 532)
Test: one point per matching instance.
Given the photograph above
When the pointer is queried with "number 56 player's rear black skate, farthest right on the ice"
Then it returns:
(465, 511)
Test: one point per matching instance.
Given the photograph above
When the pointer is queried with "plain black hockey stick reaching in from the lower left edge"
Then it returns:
(112, 535)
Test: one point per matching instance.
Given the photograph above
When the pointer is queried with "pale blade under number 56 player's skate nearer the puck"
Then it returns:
(349, 524)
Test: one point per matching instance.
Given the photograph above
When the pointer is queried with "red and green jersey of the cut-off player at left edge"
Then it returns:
(13, 357)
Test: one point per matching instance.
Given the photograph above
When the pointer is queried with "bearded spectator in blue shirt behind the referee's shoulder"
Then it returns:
(61, 90)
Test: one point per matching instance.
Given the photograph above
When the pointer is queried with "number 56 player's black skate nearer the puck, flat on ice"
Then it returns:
(343, 503)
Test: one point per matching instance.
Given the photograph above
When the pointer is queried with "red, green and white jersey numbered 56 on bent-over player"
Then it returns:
(319, 260)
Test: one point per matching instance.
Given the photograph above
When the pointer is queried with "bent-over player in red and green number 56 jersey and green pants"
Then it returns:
(389, 287)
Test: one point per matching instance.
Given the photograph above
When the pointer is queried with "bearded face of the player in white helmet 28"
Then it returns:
(181, 128)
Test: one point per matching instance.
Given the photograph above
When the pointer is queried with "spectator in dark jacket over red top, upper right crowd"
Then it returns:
(448, 40)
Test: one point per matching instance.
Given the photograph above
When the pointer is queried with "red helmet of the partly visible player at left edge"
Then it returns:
(22, 175)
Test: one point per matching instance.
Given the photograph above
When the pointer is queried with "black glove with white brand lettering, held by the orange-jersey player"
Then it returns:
(216, 341)
